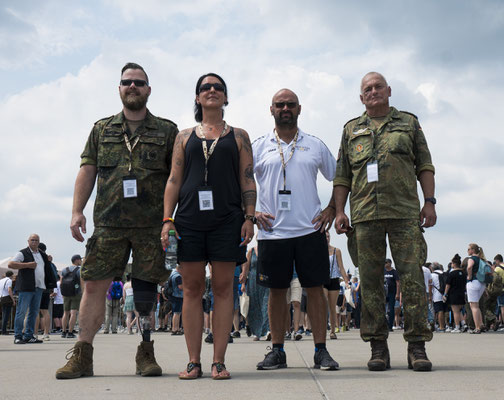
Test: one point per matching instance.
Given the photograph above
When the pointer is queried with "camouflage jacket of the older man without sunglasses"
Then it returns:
(400, 149)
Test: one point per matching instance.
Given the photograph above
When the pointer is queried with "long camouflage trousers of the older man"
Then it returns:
(368, 245)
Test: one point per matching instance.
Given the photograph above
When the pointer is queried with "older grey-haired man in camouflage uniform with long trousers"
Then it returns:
(382, 154)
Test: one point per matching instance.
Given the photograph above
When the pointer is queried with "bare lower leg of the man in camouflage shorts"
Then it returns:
(92, 308)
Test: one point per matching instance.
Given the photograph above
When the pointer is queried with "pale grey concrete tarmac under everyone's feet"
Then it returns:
(465, 367)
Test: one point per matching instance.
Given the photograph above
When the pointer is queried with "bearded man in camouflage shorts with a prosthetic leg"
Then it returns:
(130, 156)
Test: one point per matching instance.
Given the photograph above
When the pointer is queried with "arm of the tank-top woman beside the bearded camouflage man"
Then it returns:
(174, 182)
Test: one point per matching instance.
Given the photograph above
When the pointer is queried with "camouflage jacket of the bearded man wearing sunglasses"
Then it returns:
(150, 166)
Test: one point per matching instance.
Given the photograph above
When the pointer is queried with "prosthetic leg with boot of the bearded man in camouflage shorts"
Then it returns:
(144, 296)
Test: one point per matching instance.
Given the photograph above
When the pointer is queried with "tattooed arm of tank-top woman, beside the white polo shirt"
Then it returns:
(247, 182)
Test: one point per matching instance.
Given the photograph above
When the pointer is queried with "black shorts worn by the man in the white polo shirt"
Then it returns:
(276, 261)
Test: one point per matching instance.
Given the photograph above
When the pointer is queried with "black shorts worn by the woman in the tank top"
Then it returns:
(221, 244)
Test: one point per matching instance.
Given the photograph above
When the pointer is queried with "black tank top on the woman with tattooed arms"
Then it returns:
(223, 177)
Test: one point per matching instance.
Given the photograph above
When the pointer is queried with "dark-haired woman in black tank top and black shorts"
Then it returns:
(212, 185)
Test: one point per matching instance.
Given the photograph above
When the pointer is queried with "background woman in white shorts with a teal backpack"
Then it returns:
(475, 288)
